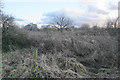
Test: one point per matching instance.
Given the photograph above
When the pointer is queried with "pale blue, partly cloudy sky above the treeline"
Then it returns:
(80, 11)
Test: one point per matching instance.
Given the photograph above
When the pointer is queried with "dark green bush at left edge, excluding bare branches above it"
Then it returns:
(13, 39)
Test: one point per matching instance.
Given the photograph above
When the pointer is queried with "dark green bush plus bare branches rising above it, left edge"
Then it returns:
(12, 36)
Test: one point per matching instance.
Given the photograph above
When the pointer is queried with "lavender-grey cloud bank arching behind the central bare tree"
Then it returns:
(79, 17)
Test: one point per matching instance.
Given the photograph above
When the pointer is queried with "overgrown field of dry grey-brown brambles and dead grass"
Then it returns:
(73, 53)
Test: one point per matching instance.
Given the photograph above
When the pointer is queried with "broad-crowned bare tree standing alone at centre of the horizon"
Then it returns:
(62, 20)
